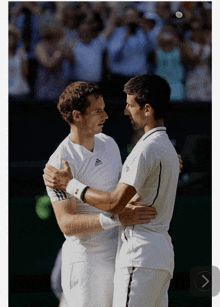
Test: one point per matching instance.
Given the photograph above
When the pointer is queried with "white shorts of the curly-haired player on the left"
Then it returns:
(87, 283)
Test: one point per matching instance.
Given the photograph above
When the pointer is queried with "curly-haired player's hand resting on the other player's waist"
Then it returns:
(137, 214)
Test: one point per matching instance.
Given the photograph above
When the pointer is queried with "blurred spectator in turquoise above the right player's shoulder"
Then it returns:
(168, 61)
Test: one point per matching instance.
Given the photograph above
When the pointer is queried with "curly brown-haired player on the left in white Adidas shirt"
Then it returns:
(88, 254)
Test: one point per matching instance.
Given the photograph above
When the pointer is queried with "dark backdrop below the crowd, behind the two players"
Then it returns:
(36, 129)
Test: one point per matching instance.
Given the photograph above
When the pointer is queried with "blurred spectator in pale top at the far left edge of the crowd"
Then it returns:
(18, 66)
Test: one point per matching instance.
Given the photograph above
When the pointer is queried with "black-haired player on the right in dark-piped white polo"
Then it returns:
(145, 258)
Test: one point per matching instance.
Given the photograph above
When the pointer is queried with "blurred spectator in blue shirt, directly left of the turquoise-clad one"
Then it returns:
(127, 51)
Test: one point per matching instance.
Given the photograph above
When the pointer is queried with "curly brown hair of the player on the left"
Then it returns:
(75, 97)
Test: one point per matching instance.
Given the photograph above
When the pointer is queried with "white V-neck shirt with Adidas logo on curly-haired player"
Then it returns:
(100, 170)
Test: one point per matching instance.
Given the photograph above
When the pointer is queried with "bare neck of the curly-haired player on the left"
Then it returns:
(81, 138)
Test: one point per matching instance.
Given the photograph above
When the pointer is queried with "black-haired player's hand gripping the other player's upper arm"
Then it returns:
(57, 179)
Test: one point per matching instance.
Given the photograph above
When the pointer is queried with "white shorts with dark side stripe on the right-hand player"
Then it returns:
(141, 287)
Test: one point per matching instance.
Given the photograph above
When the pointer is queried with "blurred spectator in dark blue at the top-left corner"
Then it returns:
(26, 15)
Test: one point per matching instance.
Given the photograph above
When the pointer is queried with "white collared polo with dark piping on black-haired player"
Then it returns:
(152, 168)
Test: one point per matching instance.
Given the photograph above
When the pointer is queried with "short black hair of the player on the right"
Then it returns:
(150, 89)
